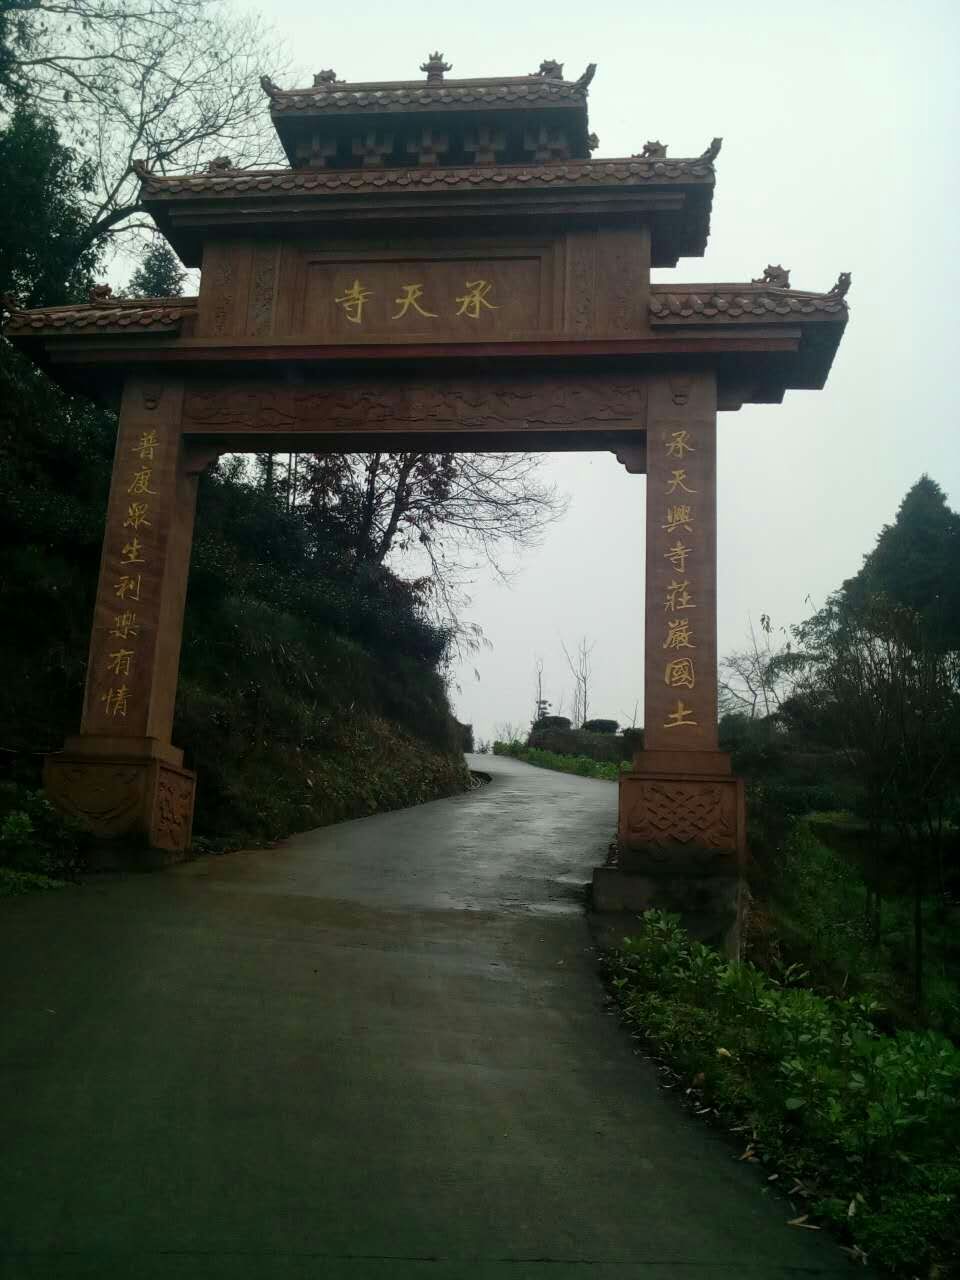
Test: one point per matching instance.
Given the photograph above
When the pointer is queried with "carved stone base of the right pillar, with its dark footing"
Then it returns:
(680, 844)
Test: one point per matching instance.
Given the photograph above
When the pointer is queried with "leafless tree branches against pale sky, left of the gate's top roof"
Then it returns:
(171, 84)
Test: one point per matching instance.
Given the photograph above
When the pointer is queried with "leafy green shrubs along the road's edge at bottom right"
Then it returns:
(870, 1124)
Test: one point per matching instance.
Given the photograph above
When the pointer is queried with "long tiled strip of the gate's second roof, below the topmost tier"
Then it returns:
(587, 173)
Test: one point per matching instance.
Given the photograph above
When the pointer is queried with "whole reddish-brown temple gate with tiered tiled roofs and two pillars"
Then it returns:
(444, 267)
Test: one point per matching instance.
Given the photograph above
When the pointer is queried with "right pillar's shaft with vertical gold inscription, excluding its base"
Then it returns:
(682, 651)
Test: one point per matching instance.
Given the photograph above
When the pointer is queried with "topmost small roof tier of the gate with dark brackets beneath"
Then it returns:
(518, 120)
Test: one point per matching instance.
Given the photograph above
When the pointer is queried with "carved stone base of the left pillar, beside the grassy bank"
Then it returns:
(131, 790)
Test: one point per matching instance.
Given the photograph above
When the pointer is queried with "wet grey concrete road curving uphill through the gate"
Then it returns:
(380, 1052)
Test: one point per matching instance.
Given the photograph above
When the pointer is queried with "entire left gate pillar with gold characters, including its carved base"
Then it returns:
(122, 776)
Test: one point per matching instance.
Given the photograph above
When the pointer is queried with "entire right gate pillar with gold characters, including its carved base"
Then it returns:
(682, 811)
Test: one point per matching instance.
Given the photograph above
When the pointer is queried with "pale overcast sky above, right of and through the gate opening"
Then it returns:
(840, 153)
